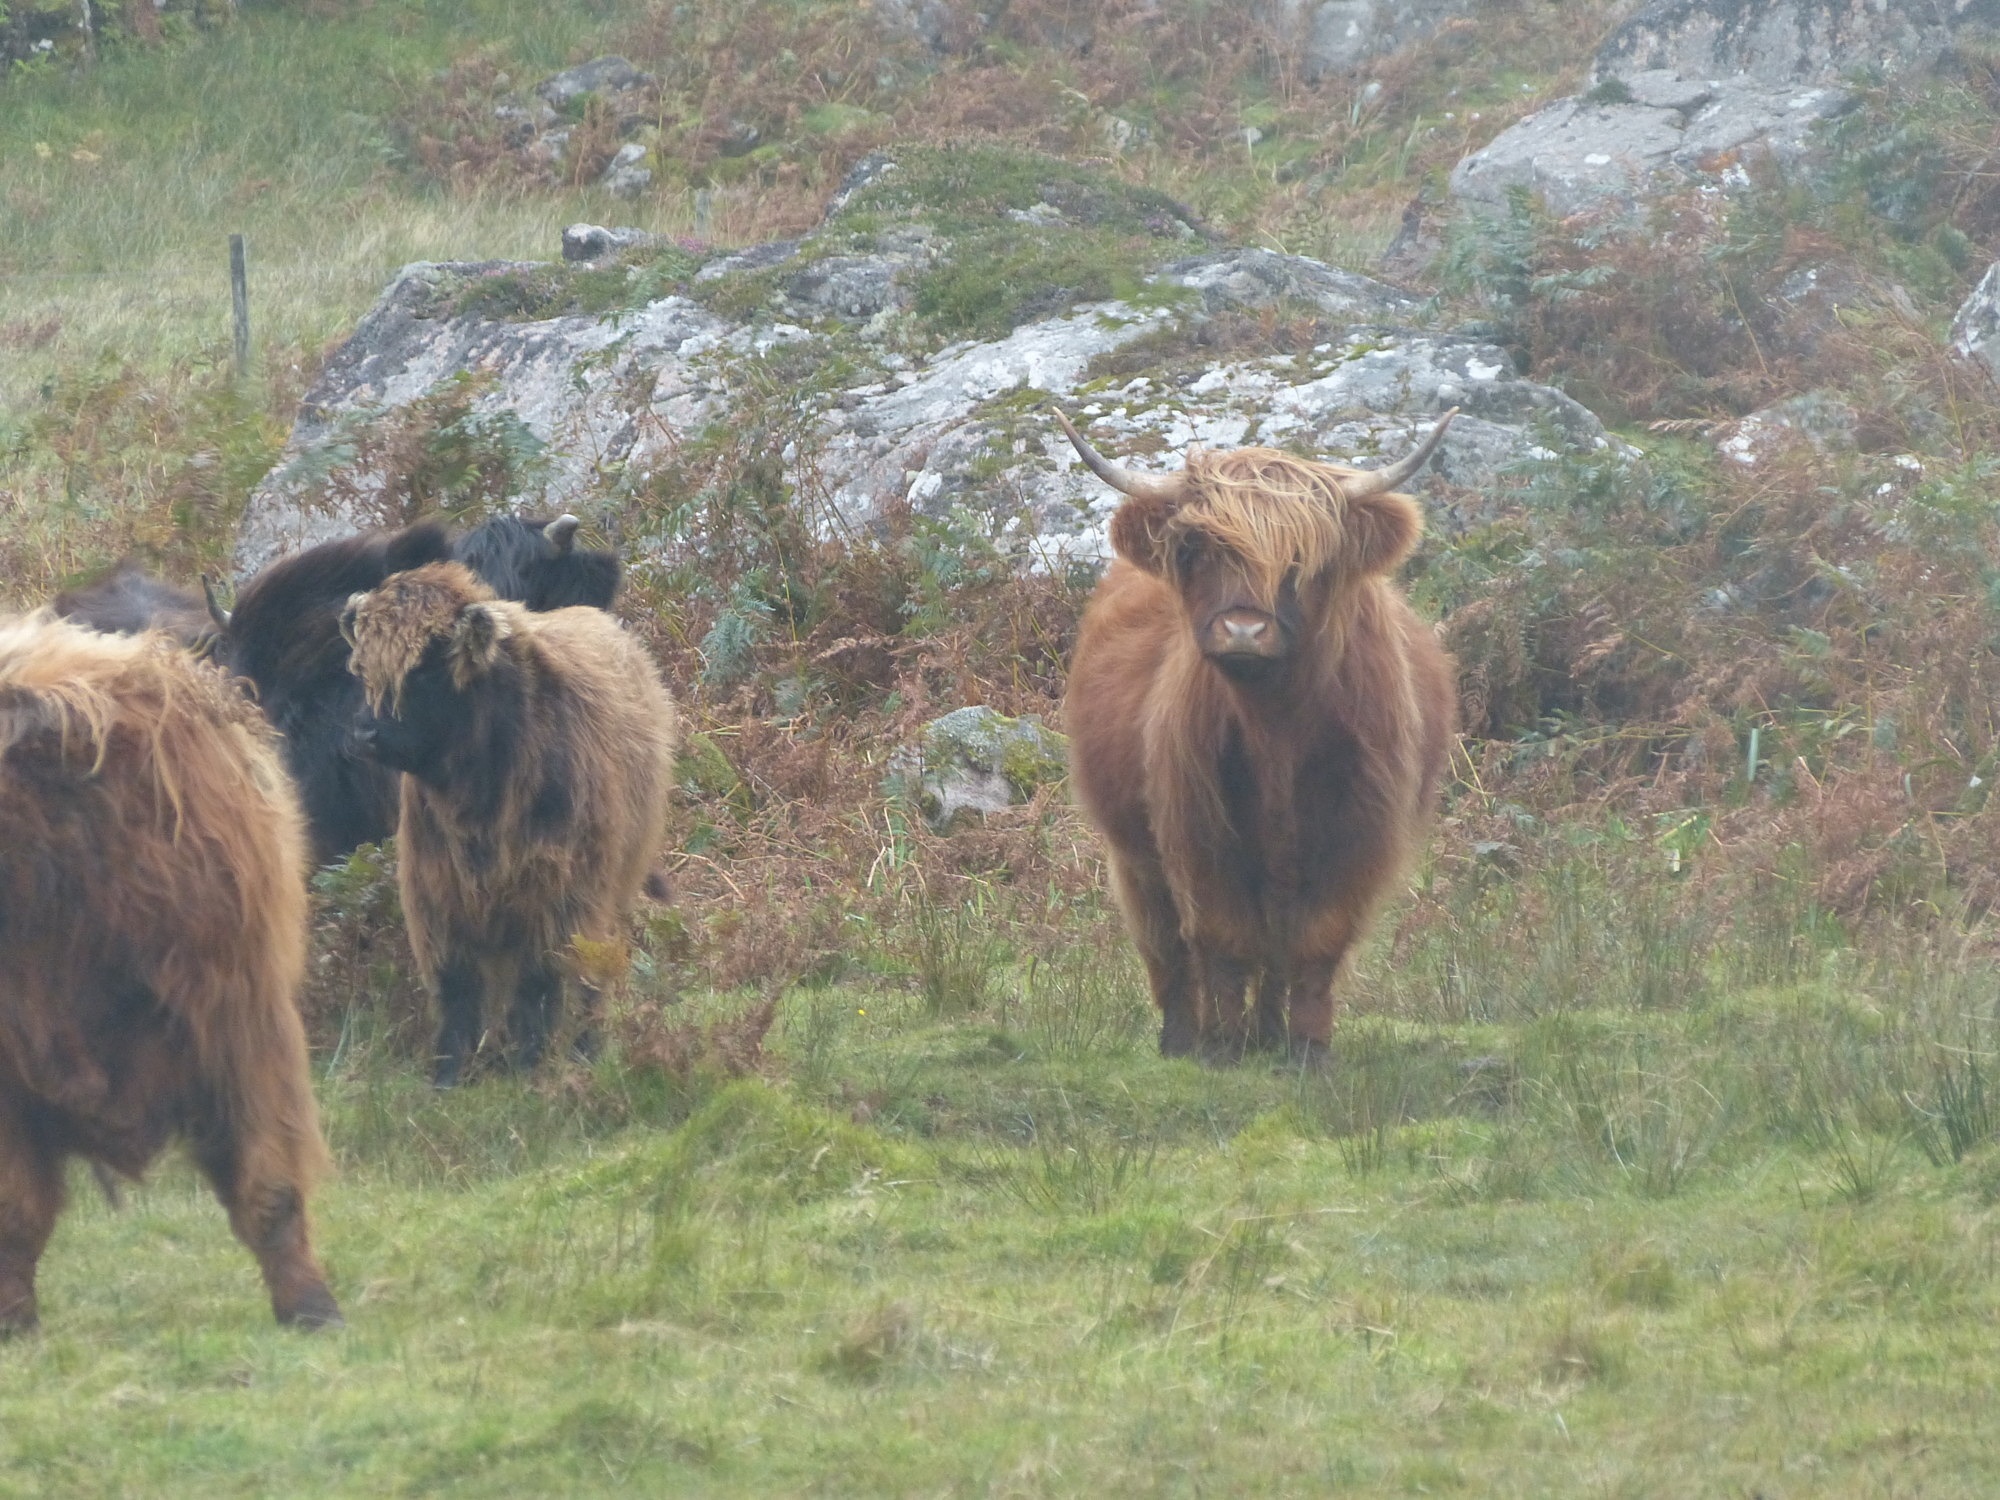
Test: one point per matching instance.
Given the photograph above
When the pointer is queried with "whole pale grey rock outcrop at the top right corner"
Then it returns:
(1689, 89)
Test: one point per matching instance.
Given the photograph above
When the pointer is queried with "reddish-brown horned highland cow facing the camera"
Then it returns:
(1257, 725)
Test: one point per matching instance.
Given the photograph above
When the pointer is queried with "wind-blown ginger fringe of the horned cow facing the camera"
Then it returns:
(1271, 509)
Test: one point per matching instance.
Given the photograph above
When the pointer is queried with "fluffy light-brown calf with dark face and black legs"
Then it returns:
(537, 755)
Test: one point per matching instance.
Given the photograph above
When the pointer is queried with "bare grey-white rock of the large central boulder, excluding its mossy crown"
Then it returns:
(953, 431)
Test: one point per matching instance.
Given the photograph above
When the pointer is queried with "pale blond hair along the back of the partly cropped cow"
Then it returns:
(91, 687)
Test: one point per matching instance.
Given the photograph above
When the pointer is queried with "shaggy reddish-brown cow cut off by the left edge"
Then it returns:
(153, 923)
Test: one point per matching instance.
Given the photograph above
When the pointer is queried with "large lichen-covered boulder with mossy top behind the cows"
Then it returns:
(899, 417)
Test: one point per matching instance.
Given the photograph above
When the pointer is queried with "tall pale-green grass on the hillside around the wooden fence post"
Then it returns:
(119, 187)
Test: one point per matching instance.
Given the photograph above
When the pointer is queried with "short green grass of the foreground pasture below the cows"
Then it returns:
(1013, 1253)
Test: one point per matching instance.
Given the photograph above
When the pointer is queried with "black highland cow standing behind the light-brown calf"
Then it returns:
(285, 637)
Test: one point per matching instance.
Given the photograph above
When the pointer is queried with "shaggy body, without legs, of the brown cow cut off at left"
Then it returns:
(151, 863)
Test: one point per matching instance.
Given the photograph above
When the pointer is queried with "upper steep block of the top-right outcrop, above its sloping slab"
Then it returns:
(1787, 43)
